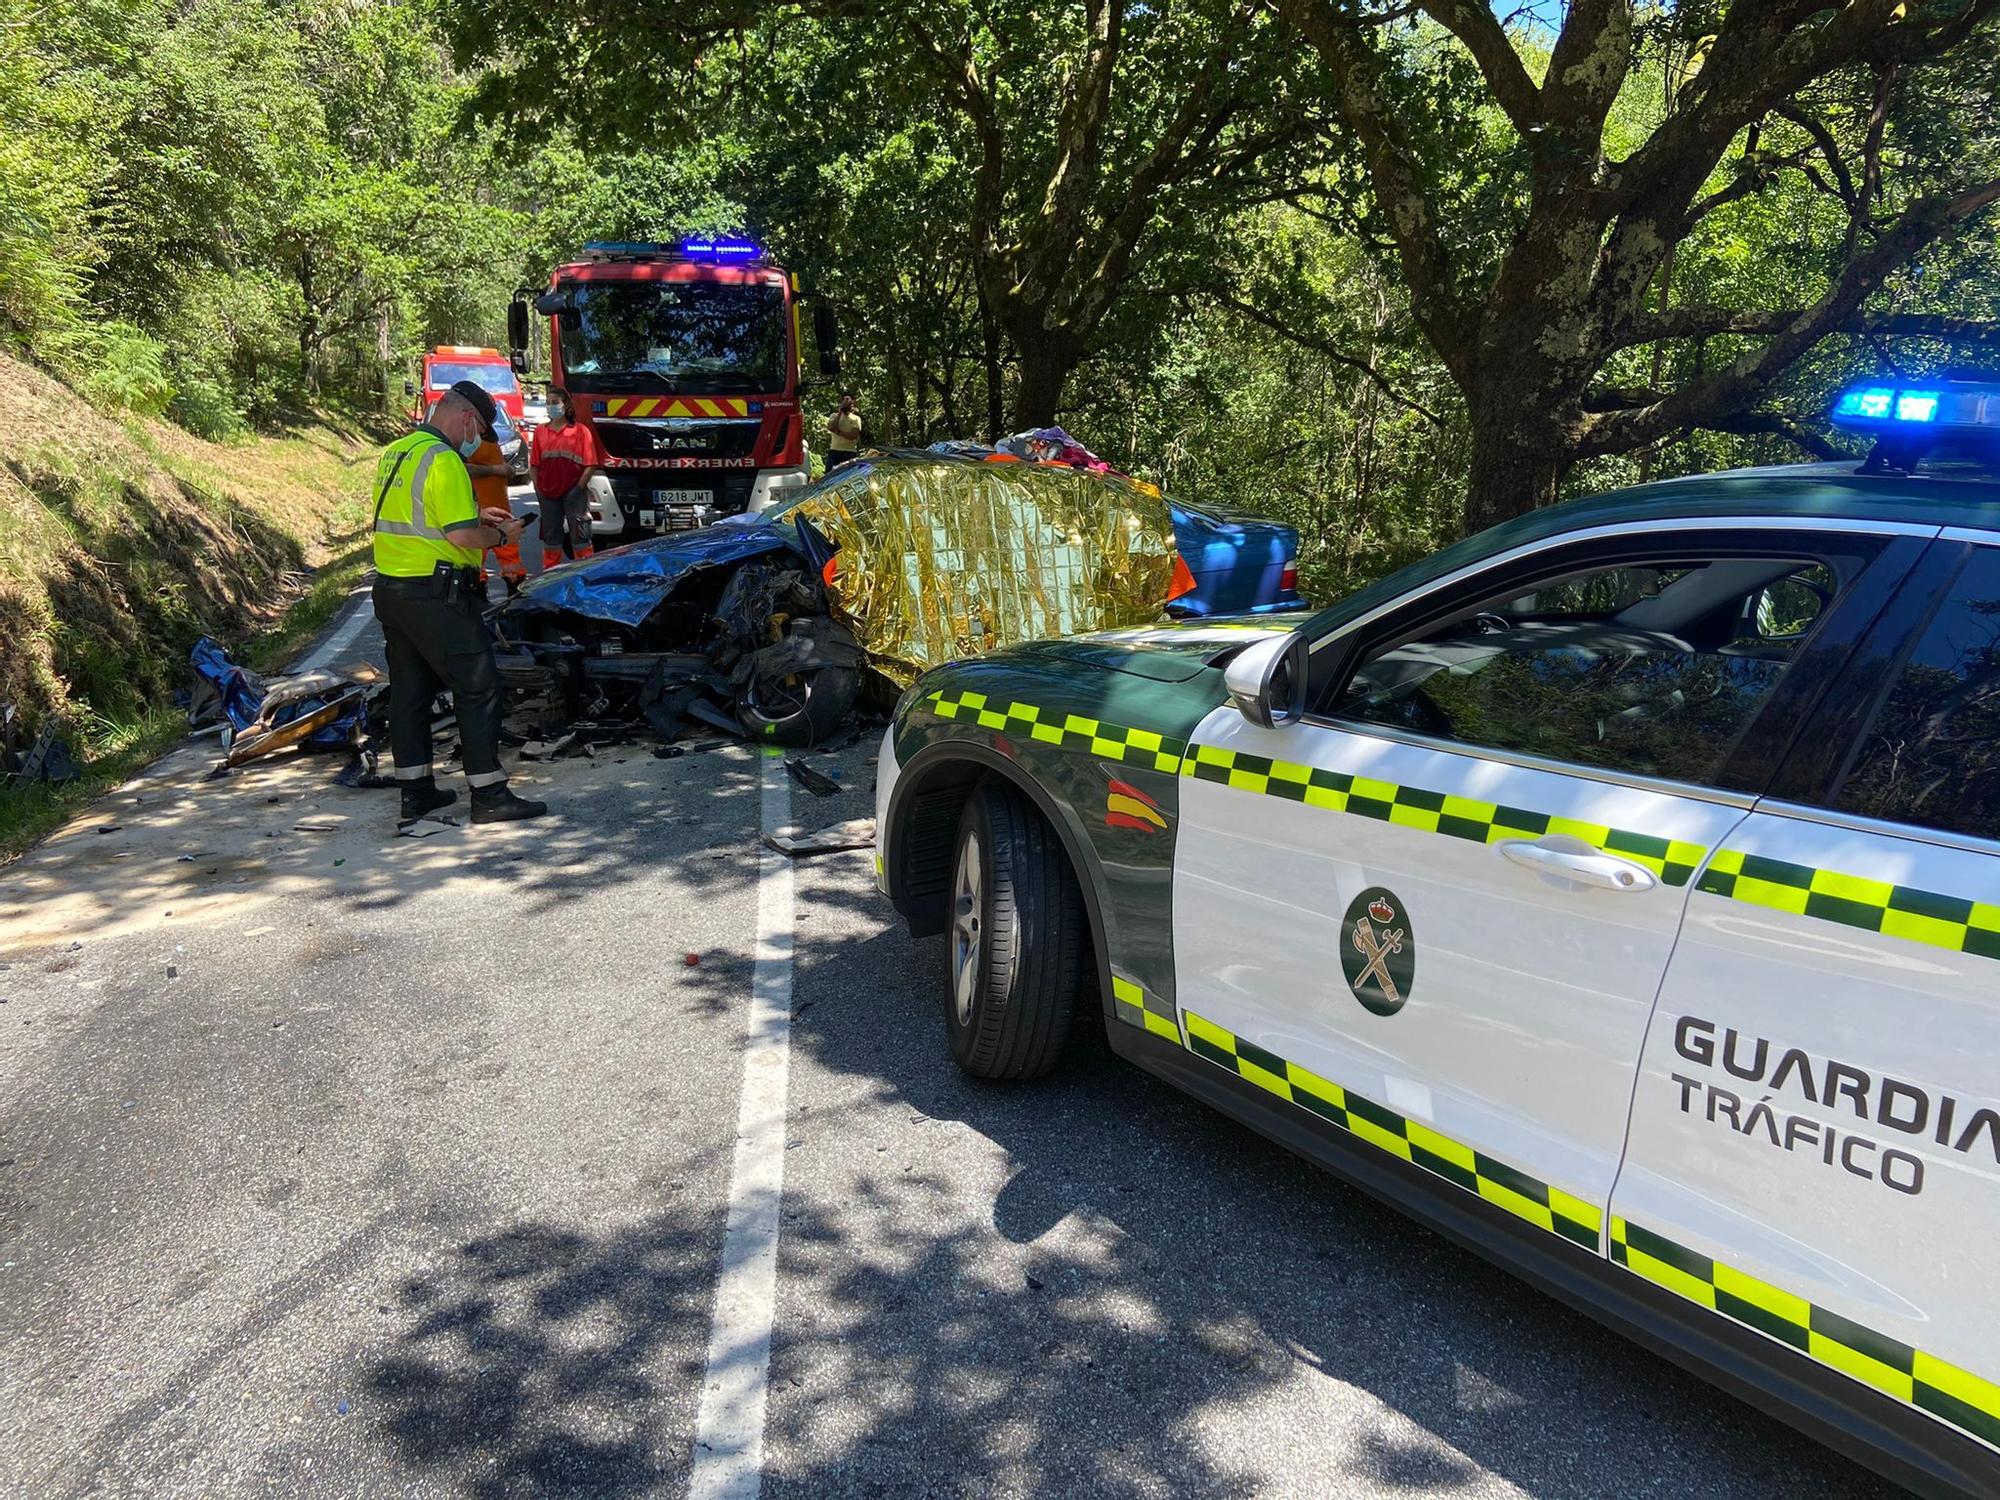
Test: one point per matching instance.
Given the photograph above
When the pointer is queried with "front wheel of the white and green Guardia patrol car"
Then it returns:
(1017, 941)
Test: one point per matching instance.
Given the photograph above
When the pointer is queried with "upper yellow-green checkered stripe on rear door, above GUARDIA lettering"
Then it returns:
(1925, 917)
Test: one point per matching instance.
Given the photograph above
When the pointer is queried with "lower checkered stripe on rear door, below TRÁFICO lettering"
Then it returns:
(1909, 1375)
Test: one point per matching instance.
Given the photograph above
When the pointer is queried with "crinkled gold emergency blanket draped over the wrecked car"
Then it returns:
(955, 557)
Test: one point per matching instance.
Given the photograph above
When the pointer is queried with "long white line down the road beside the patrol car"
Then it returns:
(729, 1433)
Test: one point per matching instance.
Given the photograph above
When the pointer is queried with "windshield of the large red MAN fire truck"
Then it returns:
(681, 337)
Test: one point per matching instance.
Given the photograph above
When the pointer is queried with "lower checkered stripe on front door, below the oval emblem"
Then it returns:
(1501, 1185)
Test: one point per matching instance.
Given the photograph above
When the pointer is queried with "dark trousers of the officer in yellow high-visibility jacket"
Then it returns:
(439, 643)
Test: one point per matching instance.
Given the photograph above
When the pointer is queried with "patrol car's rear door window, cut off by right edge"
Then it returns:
(1933, 753)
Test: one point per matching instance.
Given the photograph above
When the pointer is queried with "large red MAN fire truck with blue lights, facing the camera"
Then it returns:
(687, 363)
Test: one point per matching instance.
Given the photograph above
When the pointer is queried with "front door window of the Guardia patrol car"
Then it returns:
(1641, 669)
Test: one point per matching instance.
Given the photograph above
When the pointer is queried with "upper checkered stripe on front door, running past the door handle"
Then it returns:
(1435, 813)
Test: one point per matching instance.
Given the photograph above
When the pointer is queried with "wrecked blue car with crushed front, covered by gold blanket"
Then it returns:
(775, 625)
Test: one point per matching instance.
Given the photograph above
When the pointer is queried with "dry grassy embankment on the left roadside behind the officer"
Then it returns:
(123, 541)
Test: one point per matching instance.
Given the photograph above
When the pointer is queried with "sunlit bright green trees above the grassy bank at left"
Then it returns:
(237, 209)
